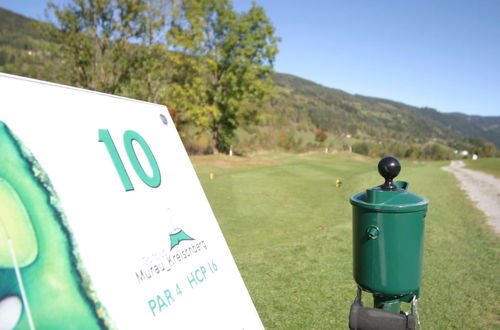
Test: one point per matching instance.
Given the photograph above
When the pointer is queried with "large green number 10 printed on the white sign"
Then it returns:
(153, 180)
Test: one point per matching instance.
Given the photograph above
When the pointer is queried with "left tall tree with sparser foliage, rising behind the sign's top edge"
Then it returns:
(101, 39)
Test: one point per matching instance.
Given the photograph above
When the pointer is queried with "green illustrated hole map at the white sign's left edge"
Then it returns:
(39, 264)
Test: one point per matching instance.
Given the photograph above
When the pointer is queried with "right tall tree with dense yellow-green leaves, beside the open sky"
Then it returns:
(234, 54)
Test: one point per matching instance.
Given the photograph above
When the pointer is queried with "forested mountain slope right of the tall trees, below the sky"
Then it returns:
(336, 111)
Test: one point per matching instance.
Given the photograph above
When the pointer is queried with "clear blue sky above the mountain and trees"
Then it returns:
(441, 54)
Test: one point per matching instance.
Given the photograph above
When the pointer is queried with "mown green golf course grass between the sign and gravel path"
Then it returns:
(289, 229)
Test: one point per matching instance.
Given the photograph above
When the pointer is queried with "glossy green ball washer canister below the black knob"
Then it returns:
(388, 240)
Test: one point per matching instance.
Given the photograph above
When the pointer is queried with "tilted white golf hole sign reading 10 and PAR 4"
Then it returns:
(103, 222)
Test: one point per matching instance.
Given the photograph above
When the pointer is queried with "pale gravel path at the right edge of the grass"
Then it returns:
(482, 188)
